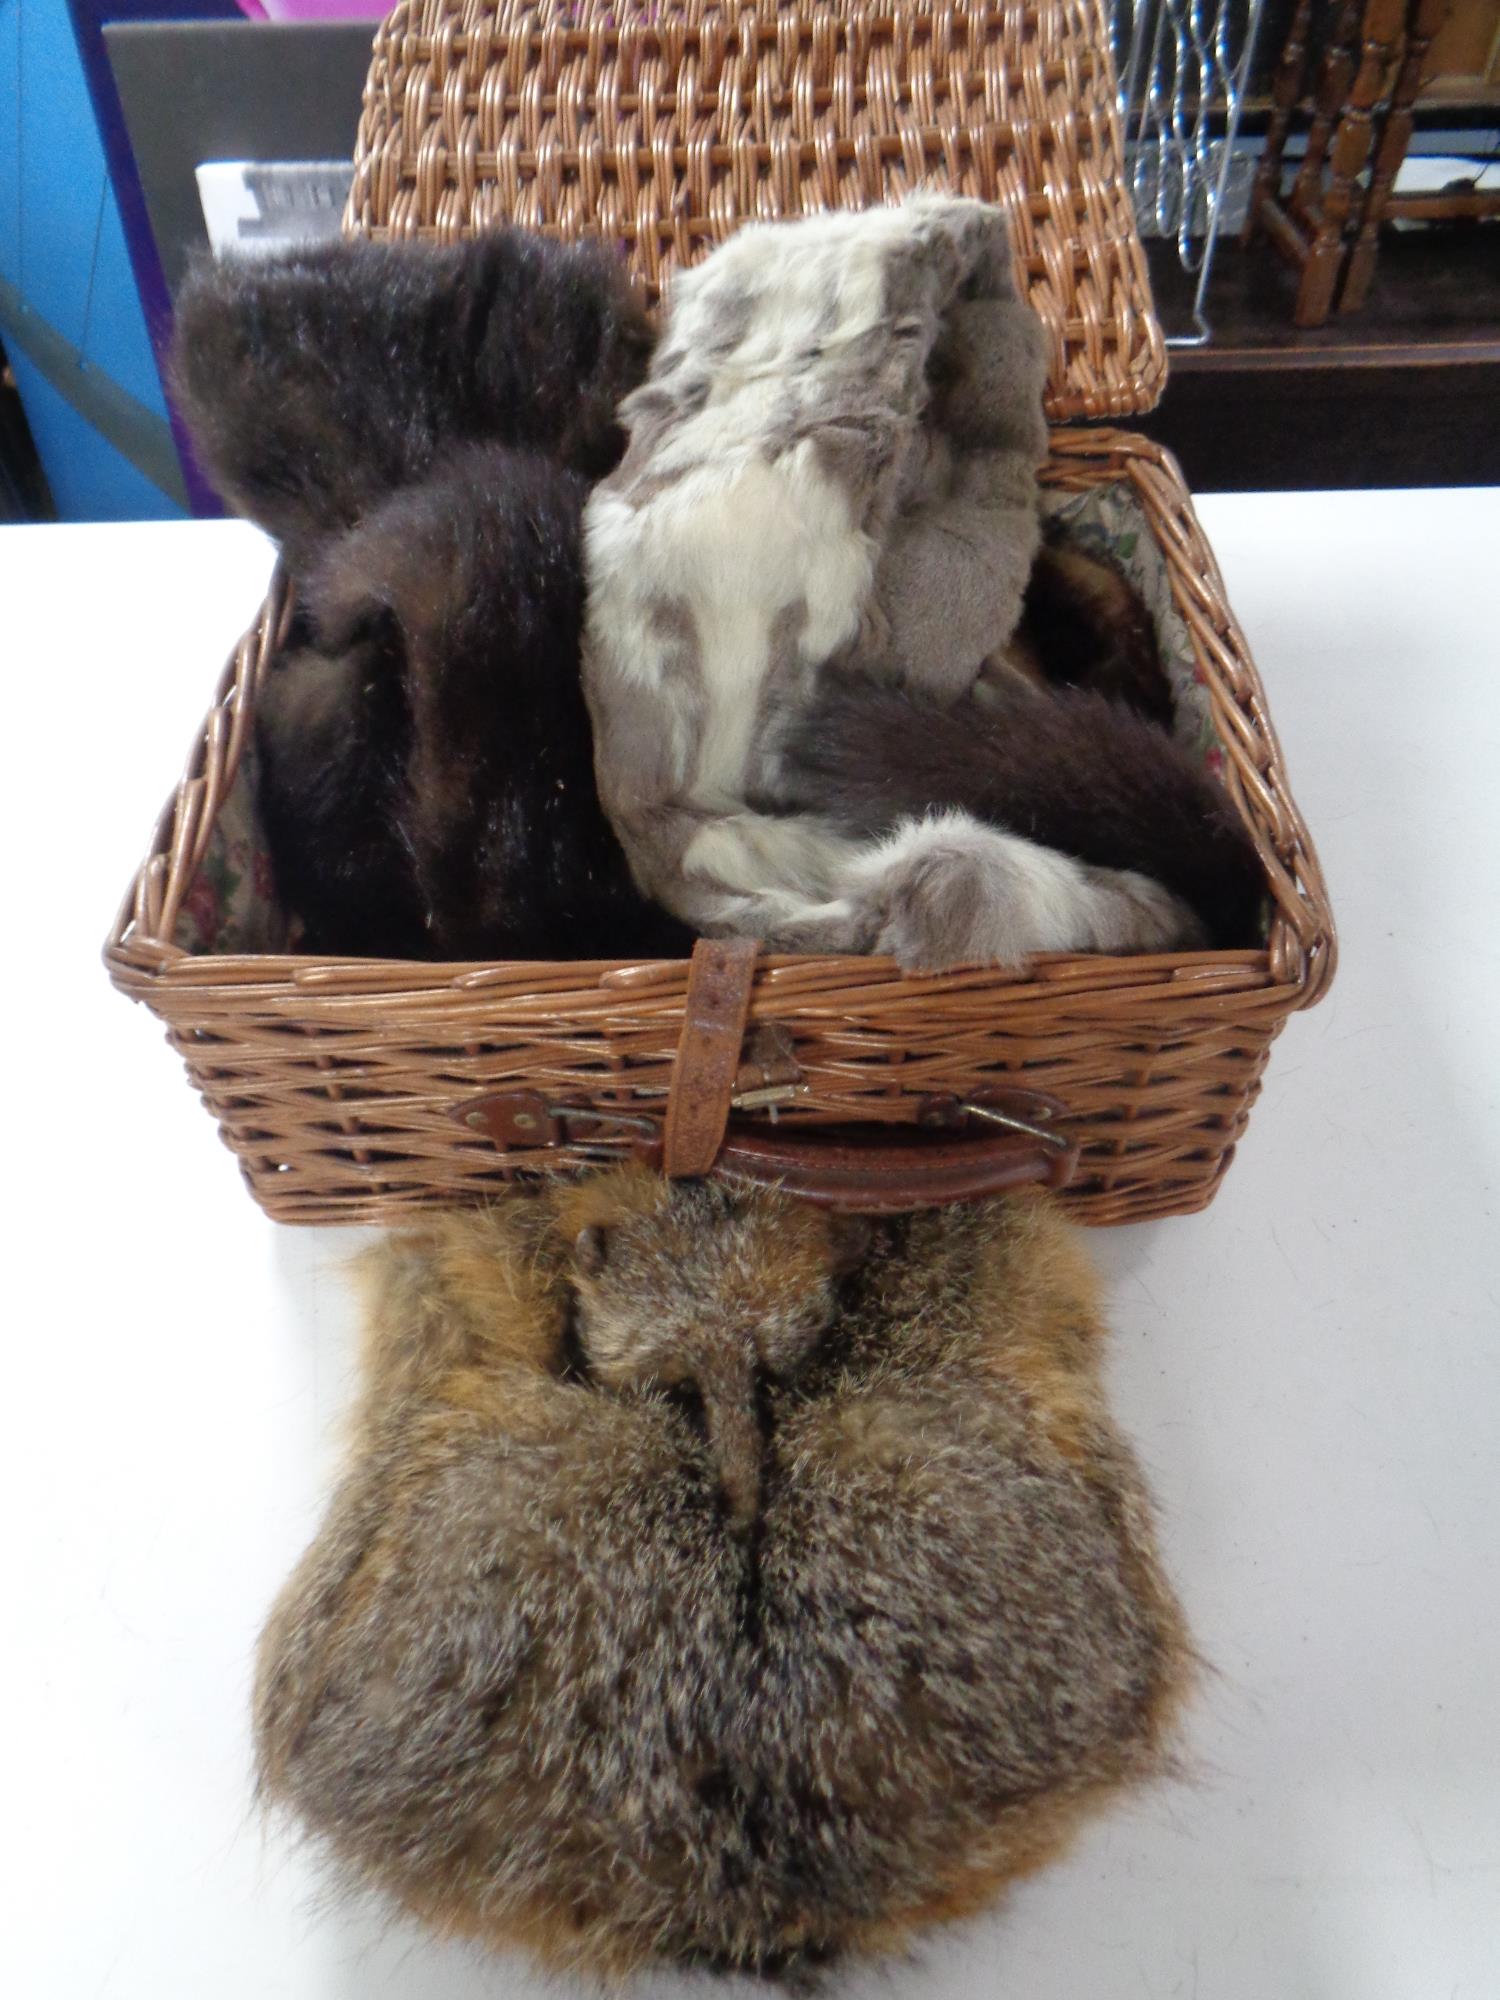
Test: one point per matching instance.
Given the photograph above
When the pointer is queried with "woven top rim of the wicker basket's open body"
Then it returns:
(1291, 973)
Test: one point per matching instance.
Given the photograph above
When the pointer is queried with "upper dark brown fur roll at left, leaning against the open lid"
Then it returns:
(319, 381)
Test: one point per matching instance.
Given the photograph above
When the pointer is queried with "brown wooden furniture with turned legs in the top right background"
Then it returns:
(1373, 67)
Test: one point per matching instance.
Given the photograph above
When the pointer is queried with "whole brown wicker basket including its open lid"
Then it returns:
(337, 1083)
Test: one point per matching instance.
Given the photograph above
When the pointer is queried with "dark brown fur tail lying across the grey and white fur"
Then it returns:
(1071, 773)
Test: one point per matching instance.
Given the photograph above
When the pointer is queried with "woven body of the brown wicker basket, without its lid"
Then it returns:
(335, 1081)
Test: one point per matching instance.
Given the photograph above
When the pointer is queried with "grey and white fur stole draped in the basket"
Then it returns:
(831, 469)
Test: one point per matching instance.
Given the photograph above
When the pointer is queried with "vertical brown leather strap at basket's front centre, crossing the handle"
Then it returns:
(709, 1055)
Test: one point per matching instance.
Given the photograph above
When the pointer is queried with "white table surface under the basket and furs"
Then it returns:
(1313, 1369)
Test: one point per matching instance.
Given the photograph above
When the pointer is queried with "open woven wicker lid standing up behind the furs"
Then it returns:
(667, 125)
